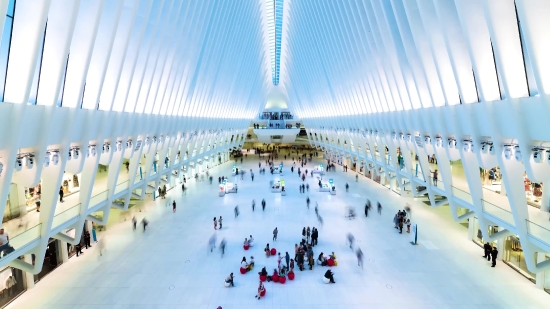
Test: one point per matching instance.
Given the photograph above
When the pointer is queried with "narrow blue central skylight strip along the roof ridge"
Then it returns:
(275, 26)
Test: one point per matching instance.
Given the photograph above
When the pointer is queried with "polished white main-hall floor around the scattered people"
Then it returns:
(169, 266)
